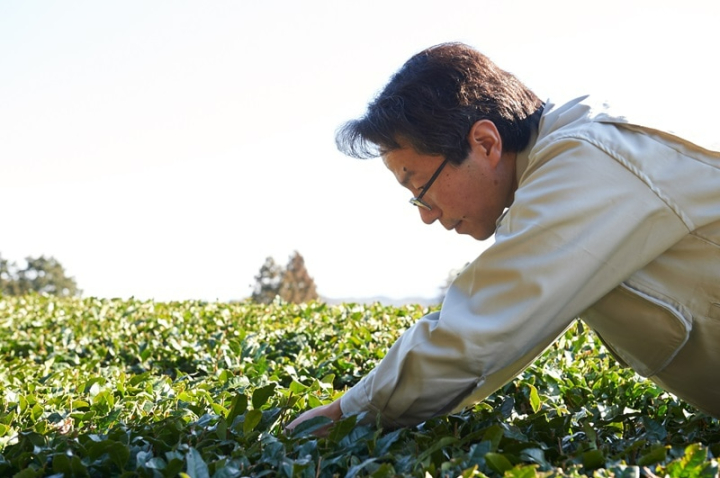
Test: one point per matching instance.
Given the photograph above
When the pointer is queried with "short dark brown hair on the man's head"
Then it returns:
(433, 101)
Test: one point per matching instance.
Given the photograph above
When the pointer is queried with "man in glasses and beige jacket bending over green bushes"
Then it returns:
(594, 217)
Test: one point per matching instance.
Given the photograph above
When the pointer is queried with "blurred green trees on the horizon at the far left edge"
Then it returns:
(44, 275)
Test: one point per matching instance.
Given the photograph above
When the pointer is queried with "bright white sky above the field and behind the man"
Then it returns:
(162, 150)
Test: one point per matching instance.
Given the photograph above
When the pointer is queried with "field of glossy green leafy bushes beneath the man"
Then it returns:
(128, 388)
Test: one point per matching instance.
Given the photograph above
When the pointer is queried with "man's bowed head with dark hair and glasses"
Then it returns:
(448, 126)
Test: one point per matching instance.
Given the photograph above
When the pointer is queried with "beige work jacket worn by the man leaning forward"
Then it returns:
(612, 222)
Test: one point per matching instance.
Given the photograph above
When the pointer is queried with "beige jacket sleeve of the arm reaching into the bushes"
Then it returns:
(581, 223)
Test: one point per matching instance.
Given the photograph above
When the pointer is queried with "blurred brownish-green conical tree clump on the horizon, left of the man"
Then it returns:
(292, 283)
